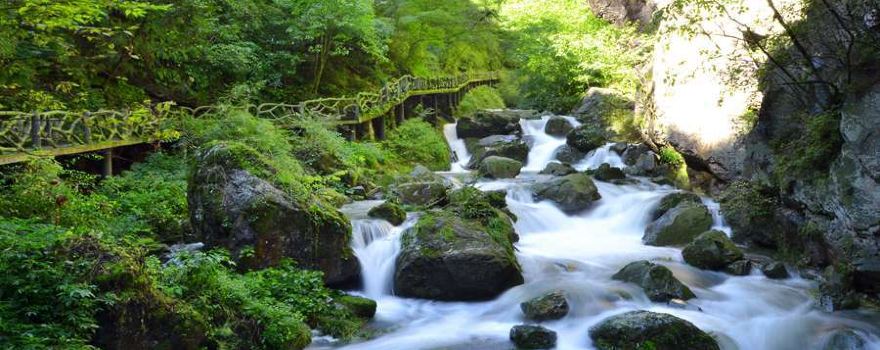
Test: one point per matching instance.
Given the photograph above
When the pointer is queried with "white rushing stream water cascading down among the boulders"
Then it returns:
(578, 254)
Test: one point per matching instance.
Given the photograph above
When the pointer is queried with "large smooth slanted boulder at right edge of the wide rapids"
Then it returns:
(679, 225)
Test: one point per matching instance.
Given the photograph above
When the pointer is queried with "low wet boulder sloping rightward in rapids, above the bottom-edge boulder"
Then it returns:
(656, 280)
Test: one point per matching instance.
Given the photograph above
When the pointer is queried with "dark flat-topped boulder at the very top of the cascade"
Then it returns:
(492, 122)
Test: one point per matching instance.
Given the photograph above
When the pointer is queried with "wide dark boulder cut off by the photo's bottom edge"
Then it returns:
(650, 330)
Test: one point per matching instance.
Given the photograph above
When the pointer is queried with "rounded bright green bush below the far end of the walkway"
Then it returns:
(418, 142)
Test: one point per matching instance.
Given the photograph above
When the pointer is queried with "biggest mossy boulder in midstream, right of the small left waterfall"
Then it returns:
(448, 257)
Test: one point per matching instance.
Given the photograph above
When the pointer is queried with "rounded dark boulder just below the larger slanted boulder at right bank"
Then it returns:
(711, 250)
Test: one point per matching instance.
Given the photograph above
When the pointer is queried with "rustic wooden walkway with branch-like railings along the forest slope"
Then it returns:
(364, 116)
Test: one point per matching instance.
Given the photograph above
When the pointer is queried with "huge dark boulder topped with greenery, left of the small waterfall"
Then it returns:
(232, 208)
